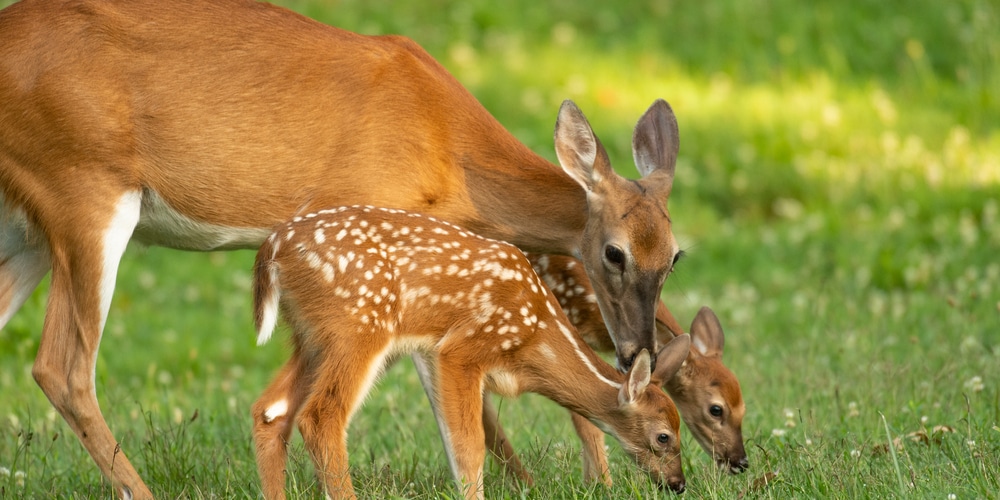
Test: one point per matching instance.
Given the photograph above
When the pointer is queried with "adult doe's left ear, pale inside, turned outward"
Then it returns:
(580, 153)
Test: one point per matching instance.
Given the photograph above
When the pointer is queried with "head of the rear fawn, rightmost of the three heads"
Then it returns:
(708, 395)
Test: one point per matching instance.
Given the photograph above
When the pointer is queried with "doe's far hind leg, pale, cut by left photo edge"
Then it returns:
(23, 263)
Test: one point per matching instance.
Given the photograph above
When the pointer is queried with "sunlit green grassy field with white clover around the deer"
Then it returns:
(838, 196)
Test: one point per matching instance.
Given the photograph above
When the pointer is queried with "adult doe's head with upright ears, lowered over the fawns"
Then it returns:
(627, 245)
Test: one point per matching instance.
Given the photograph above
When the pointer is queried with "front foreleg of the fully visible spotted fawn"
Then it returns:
(461, 399)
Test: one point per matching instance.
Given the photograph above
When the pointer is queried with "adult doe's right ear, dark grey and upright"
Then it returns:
(655, 144)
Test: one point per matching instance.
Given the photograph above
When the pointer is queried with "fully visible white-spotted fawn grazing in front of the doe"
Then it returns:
(362, 285)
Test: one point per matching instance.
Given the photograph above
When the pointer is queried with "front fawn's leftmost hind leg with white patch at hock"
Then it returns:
(273, 418)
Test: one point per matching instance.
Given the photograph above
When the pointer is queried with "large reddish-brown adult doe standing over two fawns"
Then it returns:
(200, 125)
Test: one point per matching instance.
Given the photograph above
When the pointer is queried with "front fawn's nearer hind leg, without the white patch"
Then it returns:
(343, 377)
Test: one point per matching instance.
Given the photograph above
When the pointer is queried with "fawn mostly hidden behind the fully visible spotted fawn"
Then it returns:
(705, 391)
